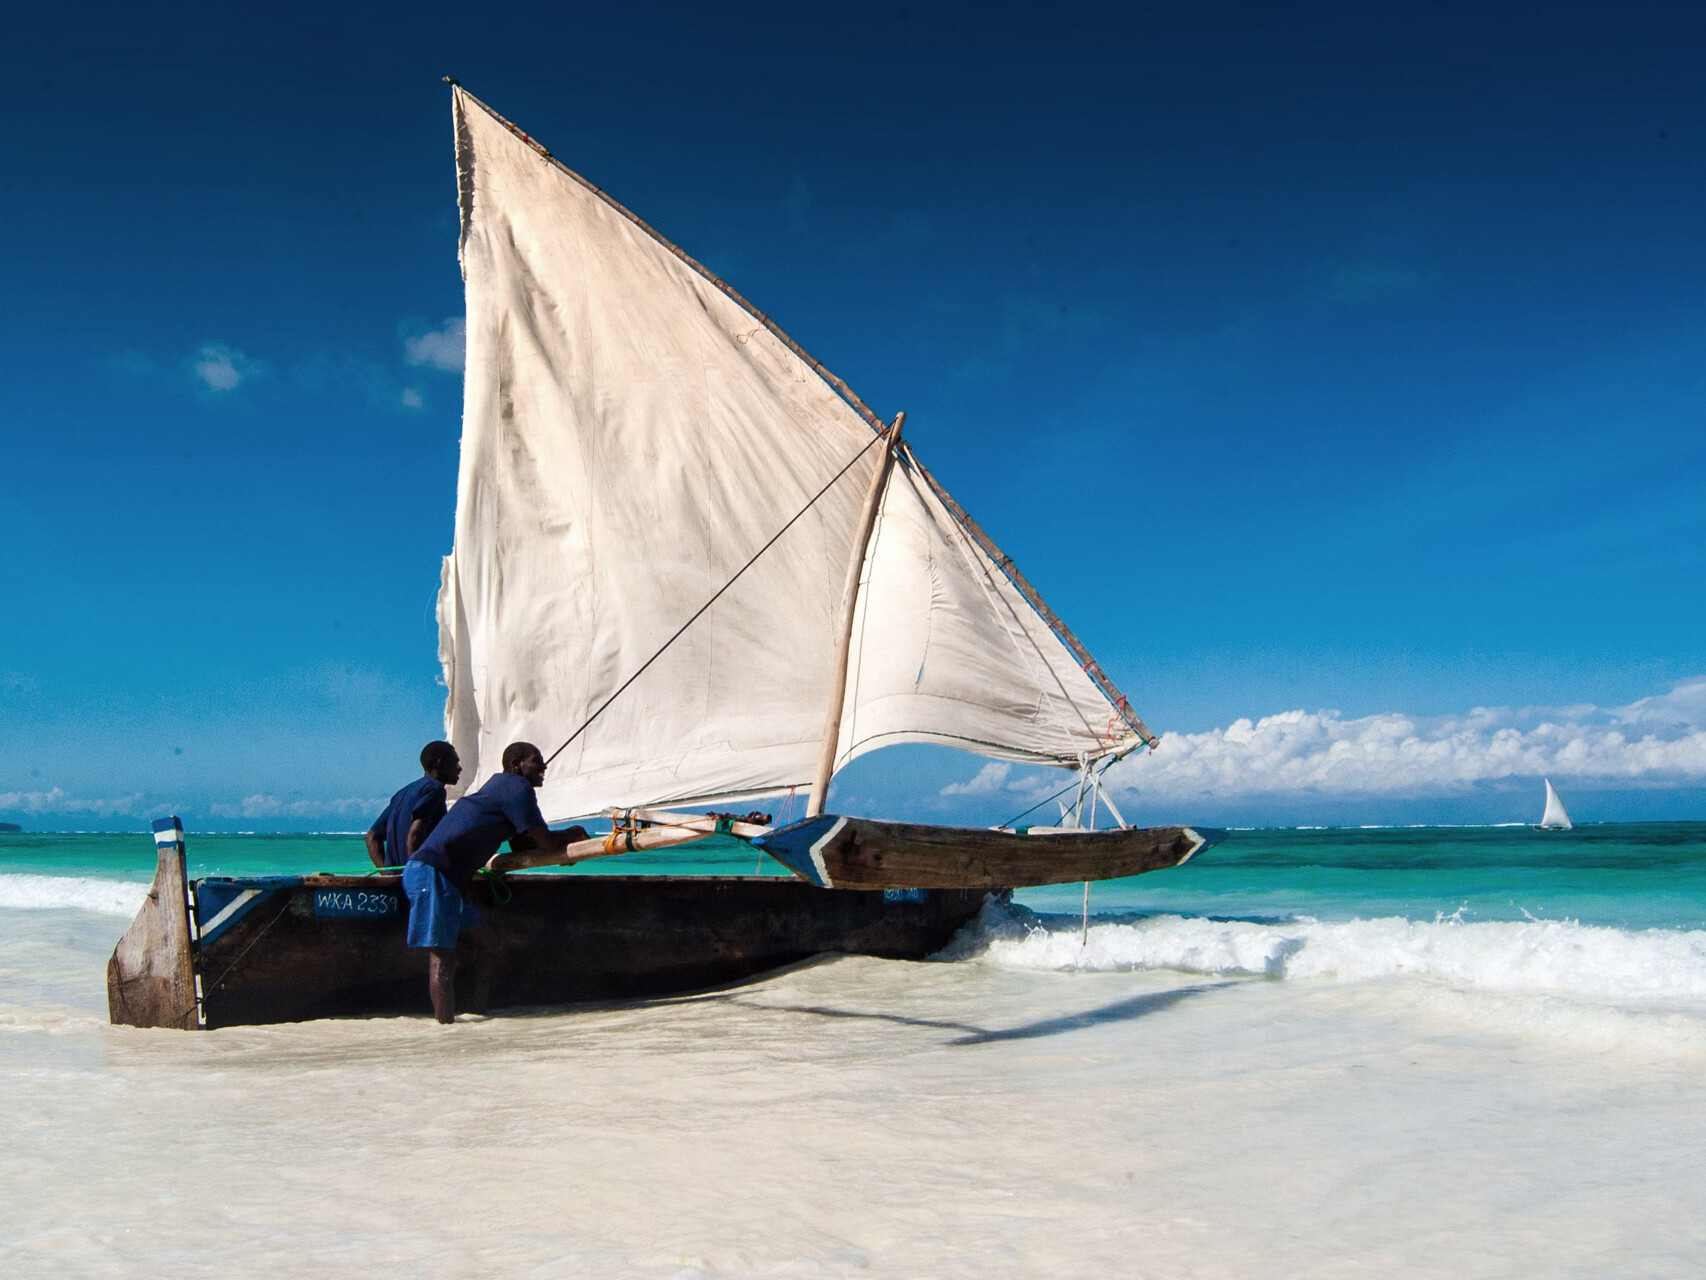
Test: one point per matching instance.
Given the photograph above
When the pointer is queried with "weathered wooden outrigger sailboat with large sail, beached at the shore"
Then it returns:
(702, 569)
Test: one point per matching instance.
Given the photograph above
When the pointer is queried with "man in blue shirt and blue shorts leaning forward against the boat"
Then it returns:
(443, 870)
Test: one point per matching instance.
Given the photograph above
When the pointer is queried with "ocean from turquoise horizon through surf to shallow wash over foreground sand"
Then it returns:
(1449, 1052)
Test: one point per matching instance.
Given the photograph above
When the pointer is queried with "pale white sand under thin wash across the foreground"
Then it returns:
(856, 1117)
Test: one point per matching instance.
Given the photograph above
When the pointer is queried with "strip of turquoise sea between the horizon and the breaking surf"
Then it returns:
(1618, 876)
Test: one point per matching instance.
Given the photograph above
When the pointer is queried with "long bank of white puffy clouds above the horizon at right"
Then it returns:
(1651, 743)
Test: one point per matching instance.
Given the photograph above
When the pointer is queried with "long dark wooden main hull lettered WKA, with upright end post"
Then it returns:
(334, 946)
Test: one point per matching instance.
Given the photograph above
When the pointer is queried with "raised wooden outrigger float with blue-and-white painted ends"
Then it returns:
(866, 854)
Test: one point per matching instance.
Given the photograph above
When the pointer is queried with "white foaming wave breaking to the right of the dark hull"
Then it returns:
(1550, 957)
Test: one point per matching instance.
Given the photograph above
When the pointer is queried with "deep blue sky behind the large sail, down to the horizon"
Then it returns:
(1313, 359)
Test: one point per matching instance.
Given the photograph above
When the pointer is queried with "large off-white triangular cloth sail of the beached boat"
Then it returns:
(632, 438)
